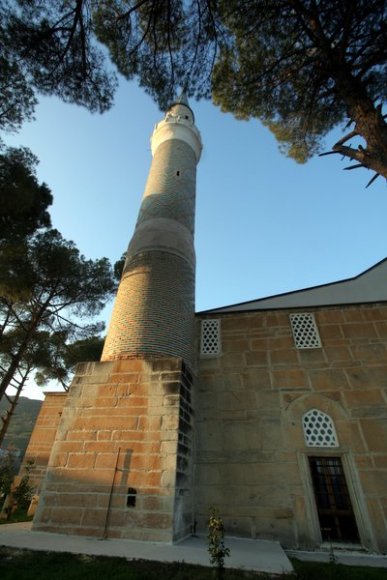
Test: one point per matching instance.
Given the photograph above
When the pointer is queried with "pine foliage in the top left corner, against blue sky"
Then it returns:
(48, 47)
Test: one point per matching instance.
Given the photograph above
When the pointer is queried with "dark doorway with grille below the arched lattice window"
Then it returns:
(333, 502)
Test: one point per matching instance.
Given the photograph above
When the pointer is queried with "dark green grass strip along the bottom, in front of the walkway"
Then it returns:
(30, 565)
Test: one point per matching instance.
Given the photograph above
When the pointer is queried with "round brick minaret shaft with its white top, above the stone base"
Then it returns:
(154, 309)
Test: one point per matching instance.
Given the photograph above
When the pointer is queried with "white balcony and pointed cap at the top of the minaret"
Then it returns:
(179, 123)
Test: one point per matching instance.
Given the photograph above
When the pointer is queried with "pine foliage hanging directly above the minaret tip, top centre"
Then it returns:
(164, 45)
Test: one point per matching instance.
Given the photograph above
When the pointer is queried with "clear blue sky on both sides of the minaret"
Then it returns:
(264, 224)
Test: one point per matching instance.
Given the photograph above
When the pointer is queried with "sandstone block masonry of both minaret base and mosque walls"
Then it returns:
(251, 459)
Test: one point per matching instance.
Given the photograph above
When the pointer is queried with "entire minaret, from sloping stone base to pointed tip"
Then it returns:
(121, 464)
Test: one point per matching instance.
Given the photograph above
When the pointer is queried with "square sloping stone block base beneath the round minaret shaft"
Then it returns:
(120, 466)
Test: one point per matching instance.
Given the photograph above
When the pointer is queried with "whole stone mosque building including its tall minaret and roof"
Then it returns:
(274, 410)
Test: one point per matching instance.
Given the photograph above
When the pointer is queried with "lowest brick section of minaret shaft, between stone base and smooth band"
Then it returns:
(154, 309)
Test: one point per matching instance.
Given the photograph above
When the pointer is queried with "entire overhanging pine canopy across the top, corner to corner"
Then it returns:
(302, 67)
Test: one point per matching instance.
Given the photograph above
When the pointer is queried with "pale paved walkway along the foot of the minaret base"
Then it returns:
(258, 555)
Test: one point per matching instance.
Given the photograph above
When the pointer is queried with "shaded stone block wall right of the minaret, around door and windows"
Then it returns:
(252, 459)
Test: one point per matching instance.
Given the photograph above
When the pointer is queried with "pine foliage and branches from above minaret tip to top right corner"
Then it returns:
(302, 67)
